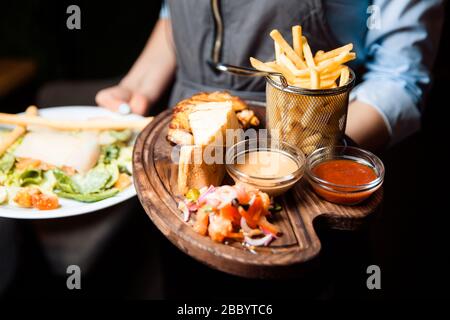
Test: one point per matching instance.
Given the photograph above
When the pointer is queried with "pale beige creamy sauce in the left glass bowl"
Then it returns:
(266, 164)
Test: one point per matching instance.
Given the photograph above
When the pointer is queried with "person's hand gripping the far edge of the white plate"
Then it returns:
(111, 98)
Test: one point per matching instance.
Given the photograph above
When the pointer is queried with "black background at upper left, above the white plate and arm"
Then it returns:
(110, 39)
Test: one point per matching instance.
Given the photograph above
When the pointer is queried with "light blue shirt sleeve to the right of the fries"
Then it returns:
(400, 52)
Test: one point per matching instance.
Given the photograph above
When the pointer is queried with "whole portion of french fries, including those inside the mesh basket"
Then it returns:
(307, 121)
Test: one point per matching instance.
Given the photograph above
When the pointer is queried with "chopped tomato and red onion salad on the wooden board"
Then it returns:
(231, 212)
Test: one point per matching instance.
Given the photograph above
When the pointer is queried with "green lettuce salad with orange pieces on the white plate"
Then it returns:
(110, 175)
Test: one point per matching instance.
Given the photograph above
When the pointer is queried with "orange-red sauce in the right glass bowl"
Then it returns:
(349, 175)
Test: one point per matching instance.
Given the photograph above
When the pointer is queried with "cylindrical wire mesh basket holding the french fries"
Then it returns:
(307, 118)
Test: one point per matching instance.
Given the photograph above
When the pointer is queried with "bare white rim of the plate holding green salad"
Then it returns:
(70, 207)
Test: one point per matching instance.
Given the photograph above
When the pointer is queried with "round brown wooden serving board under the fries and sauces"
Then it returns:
(156, 183)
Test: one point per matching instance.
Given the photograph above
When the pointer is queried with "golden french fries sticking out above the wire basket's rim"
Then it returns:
(303, 69)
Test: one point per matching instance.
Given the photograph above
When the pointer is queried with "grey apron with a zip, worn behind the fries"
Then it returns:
(247, 24)
